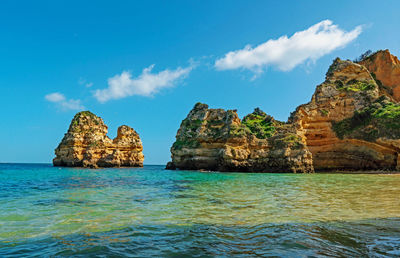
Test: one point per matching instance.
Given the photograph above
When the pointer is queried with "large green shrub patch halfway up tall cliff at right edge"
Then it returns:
(380, 119)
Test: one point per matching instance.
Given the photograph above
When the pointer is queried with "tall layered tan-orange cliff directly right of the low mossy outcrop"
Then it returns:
(348, 89)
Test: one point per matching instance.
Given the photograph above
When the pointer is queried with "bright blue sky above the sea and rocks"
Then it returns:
(72, 48)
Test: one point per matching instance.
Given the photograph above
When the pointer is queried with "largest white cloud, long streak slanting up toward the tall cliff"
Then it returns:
(286, 53)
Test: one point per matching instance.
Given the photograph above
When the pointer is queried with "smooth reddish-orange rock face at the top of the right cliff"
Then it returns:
(386, 68)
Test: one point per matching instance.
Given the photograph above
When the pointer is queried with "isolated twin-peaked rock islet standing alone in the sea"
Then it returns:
(86, 144)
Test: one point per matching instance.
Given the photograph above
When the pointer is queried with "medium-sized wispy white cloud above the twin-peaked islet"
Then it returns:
(146, 84)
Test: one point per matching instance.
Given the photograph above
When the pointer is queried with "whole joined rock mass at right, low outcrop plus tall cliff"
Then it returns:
(352, 123)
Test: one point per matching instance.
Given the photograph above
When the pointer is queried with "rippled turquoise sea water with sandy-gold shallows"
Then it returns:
(142, 212)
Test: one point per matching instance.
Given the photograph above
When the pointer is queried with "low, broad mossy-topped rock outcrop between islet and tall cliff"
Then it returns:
(215, 139)
